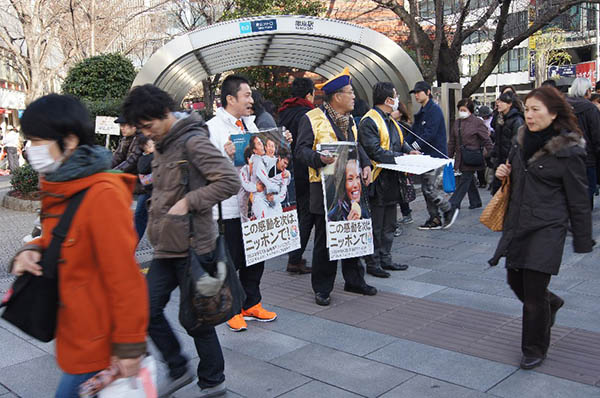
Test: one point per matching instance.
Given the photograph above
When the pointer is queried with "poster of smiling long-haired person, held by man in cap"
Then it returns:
(349, 232)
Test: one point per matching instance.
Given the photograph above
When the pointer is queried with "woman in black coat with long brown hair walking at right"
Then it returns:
(548, 189)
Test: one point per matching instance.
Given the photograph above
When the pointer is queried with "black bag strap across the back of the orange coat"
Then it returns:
(59, 233)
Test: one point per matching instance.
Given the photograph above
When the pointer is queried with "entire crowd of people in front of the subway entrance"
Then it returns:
(547, 145)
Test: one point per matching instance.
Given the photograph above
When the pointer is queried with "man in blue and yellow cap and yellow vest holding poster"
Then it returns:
(331, 122)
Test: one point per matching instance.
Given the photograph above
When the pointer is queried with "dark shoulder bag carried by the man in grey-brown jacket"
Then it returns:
(211, 292)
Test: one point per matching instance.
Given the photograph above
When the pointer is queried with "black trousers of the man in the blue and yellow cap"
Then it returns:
(324, 271)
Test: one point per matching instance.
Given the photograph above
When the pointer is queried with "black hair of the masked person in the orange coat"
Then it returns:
(54, 117)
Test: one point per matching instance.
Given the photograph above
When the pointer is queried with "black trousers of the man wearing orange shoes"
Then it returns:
(249, 276)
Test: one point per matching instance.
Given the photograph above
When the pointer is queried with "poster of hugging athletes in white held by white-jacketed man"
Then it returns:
(266, 199)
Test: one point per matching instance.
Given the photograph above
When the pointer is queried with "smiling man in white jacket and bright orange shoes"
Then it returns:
(235, 118)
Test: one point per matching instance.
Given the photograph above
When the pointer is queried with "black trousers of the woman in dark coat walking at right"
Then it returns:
(531, 287)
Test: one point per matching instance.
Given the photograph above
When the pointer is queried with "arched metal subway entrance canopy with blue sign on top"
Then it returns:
(323, 46)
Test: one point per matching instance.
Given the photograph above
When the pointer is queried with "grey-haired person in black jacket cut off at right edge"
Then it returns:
(588, 119)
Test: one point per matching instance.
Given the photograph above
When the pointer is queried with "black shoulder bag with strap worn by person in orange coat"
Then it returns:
(32, 302)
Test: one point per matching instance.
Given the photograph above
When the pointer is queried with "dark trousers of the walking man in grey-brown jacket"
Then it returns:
(163, 277)
